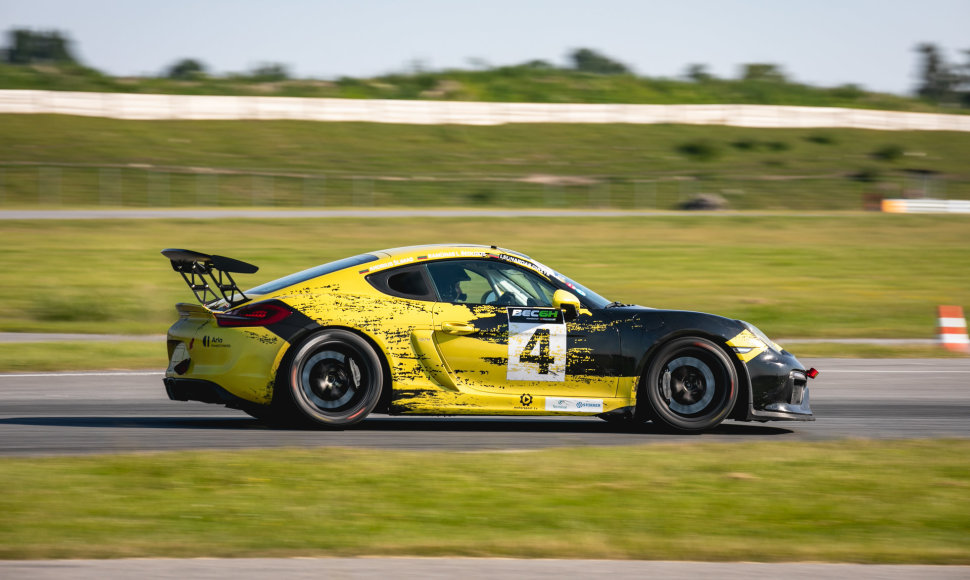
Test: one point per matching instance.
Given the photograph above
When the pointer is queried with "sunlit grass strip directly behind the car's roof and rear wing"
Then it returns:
(834, 276)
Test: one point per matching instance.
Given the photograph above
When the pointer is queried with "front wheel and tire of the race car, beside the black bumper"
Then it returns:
(690, 386)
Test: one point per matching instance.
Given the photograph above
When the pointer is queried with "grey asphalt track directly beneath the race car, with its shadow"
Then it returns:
(79, 413)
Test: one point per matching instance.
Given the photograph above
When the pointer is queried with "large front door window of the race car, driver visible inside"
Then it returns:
(489, 282)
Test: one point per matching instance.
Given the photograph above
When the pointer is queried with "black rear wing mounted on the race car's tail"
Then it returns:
(209, 276)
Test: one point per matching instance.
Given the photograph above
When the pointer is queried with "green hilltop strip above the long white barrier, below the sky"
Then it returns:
(505, 84)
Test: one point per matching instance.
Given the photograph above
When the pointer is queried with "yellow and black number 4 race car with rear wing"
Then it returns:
(463, 330)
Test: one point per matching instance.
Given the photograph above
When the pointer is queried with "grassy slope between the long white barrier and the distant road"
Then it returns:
(50, 160)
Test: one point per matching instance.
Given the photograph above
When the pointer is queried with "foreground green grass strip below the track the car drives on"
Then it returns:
(847, 501)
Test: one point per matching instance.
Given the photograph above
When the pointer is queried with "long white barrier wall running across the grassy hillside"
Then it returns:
(193, 107)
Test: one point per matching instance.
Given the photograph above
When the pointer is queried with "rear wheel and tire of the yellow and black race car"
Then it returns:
(335, 379)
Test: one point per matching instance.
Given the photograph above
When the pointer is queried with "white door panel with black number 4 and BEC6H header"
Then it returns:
(537, 345)
